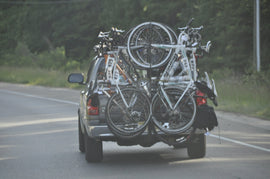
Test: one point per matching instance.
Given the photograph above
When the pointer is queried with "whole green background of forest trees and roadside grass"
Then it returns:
(42, 40)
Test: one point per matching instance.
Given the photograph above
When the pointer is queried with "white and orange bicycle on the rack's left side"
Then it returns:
(128, 108)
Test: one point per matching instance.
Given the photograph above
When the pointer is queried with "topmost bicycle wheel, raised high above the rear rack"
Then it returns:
(139, 44)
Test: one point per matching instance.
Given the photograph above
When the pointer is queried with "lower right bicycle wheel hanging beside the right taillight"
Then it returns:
(173, 121)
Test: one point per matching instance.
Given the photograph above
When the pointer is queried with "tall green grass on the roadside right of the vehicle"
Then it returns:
(247, 96)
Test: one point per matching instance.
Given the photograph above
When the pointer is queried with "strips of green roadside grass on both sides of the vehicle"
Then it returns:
(249, 96)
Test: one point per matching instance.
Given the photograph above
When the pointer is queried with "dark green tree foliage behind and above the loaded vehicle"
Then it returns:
(48, 28)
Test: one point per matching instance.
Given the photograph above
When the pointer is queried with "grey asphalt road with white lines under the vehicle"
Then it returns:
(38, 139)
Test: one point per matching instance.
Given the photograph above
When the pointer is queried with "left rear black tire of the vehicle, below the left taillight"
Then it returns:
(93, 149)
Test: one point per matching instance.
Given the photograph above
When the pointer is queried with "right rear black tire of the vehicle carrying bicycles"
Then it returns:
(197, 147)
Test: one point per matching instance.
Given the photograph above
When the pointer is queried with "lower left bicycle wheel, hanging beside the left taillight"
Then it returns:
(131, 121)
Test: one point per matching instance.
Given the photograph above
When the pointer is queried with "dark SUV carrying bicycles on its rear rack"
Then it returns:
(93, 129)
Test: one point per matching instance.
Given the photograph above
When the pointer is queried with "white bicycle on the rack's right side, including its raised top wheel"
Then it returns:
(173, 105)
